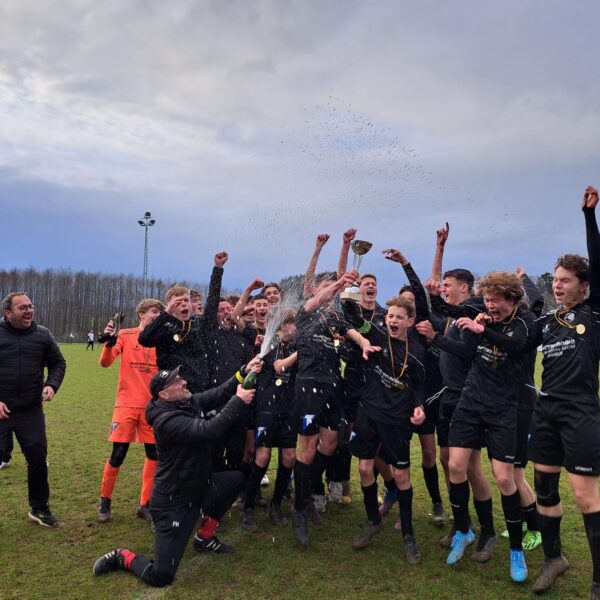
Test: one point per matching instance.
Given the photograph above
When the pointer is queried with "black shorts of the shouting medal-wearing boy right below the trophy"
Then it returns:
(390, 440)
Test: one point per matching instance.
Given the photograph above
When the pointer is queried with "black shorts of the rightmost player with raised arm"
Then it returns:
(566, 434)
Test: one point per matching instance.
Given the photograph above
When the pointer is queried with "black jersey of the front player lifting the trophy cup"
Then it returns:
(318, 346)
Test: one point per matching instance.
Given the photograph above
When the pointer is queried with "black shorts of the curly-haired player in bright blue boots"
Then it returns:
(477, 427)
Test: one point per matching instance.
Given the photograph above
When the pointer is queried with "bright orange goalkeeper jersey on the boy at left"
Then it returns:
(138, 365)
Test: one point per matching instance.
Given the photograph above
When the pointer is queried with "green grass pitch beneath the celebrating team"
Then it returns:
(38, 563)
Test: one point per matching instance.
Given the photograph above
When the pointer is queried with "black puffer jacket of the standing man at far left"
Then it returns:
(23, 355)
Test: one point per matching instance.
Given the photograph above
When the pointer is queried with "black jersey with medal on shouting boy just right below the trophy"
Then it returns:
(395, 380)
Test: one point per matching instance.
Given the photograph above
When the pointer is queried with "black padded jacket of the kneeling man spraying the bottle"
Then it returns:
(183, 437)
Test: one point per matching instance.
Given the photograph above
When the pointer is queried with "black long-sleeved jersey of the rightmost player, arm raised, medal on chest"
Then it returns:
(571, 338)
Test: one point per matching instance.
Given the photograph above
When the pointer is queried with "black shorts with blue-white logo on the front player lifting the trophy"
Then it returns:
(318, 405)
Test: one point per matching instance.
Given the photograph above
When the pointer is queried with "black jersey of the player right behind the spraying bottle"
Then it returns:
(275, 391)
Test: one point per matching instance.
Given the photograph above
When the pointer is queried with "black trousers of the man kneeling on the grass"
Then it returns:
(174, 527)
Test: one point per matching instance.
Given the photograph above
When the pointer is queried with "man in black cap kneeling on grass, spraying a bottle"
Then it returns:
(185, 488)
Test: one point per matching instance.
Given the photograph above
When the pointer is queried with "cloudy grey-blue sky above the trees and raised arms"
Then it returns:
(251, 126)
